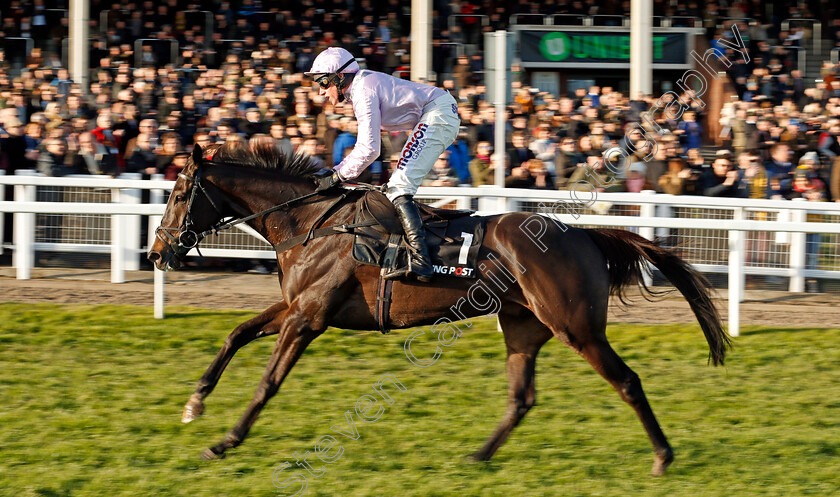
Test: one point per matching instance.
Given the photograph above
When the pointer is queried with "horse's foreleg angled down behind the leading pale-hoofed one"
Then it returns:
(294, 336)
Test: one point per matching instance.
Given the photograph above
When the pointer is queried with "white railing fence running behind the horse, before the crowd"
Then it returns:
(793, 239)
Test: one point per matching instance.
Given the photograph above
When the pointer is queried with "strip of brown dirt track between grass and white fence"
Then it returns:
(257, 292)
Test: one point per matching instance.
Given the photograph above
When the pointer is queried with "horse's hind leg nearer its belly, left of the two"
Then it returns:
(524, 335)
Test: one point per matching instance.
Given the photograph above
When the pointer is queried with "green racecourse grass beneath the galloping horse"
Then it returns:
(92, 397)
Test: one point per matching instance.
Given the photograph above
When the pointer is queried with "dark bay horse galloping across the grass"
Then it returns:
(561, 290)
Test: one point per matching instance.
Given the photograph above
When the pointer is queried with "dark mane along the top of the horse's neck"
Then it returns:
(262, 155)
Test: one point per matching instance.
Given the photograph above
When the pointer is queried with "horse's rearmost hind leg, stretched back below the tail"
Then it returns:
(605, 360)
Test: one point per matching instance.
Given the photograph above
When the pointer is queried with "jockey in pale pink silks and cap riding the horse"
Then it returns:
(383, 102)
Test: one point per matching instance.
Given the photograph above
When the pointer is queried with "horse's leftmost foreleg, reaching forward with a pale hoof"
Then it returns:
(244, 334)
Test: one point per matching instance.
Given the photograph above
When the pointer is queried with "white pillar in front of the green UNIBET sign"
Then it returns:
(641, 47)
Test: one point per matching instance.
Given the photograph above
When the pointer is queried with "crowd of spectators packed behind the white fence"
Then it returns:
(141, 112)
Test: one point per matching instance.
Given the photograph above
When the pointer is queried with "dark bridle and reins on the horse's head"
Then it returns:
(181, 240)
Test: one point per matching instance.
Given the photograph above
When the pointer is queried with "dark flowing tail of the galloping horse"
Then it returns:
(626, 252)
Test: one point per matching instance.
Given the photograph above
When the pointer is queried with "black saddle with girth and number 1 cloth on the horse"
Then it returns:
(453, 237)
